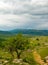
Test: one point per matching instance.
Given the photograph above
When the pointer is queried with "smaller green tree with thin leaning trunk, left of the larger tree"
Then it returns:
(8, 45)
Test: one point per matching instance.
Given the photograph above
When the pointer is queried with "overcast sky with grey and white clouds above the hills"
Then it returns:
(23, 14)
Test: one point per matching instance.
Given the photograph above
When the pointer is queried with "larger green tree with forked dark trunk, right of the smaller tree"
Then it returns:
(22, 43)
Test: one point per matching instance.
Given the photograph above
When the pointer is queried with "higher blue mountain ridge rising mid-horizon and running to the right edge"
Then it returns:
(30, 31)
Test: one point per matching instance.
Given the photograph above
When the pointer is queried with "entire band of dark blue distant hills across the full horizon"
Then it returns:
(25, 31)
